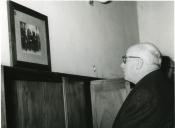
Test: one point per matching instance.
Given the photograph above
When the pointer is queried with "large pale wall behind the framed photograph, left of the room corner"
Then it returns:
(82, 35)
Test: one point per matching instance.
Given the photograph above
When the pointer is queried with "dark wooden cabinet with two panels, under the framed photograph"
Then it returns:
(45, 100)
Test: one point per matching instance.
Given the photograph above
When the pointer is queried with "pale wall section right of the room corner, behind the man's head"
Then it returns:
(156, 24)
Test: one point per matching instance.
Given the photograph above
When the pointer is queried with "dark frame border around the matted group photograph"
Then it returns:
(12, 37)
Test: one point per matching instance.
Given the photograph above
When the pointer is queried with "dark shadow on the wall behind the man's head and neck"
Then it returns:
(167, 67)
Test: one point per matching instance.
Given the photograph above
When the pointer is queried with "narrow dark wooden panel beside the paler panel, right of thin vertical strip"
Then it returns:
(78, 104)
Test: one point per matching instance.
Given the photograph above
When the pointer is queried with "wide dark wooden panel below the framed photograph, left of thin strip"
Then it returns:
(34, 105)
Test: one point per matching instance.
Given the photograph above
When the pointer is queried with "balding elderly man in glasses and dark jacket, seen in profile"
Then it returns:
(150, 103)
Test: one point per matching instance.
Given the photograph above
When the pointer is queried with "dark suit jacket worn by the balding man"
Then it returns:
(149, 104)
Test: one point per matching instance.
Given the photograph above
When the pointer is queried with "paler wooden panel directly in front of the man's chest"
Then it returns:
(107, 97)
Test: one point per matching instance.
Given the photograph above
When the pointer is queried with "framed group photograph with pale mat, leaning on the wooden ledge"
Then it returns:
(29, 38)
